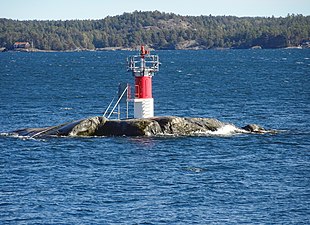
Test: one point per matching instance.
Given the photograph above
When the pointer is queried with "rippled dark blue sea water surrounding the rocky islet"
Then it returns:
(210, 179)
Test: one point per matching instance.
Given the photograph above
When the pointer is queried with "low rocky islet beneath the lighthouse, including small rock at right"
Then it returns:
(100, 126)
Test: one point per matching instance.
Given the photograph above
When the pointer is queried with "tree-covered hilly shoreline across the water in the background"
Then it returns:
(158, 30)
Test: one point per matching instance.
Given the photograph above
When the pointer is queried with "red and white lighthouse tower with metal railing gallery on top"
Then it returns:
(143, 68)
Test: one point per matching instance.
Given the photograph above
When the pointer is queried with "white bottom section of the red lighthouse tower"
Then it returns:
(143, 107)
